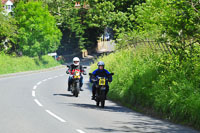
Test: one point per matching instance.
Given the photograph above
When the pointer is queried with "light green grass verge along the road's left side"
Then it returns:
(11, 64)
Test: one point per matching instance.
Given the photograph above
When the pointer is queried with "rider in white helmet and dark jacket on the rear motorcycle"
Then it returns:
(71, 70)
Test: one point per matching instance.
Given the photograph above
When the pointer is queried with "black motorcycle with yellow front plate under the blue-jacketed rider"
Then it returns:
(100, 82)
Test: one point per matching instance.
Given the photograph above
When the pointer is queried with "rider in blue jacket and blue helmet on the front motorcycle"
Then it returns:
(100, 72)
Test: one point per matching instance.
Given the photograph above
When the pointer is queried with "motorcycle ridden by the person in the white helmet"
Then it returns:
(75, 85)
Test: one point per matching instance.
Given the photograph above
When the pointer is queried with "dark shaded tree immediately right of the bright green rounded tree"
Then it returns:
(71, 22)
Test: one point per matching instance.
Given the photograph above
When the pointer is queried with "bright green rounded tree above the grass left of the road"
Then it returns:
(38, 33)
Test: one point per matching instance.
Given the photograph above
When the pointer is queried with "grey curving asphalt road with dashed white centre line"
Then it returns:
(40, 103)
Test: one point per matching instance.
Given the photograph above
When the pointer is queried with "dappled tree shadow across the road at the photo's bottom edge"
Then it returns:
(142, 125)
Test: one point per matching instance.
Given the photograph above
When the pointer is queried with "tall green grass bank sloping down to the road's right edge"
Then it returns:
(156, 82)
